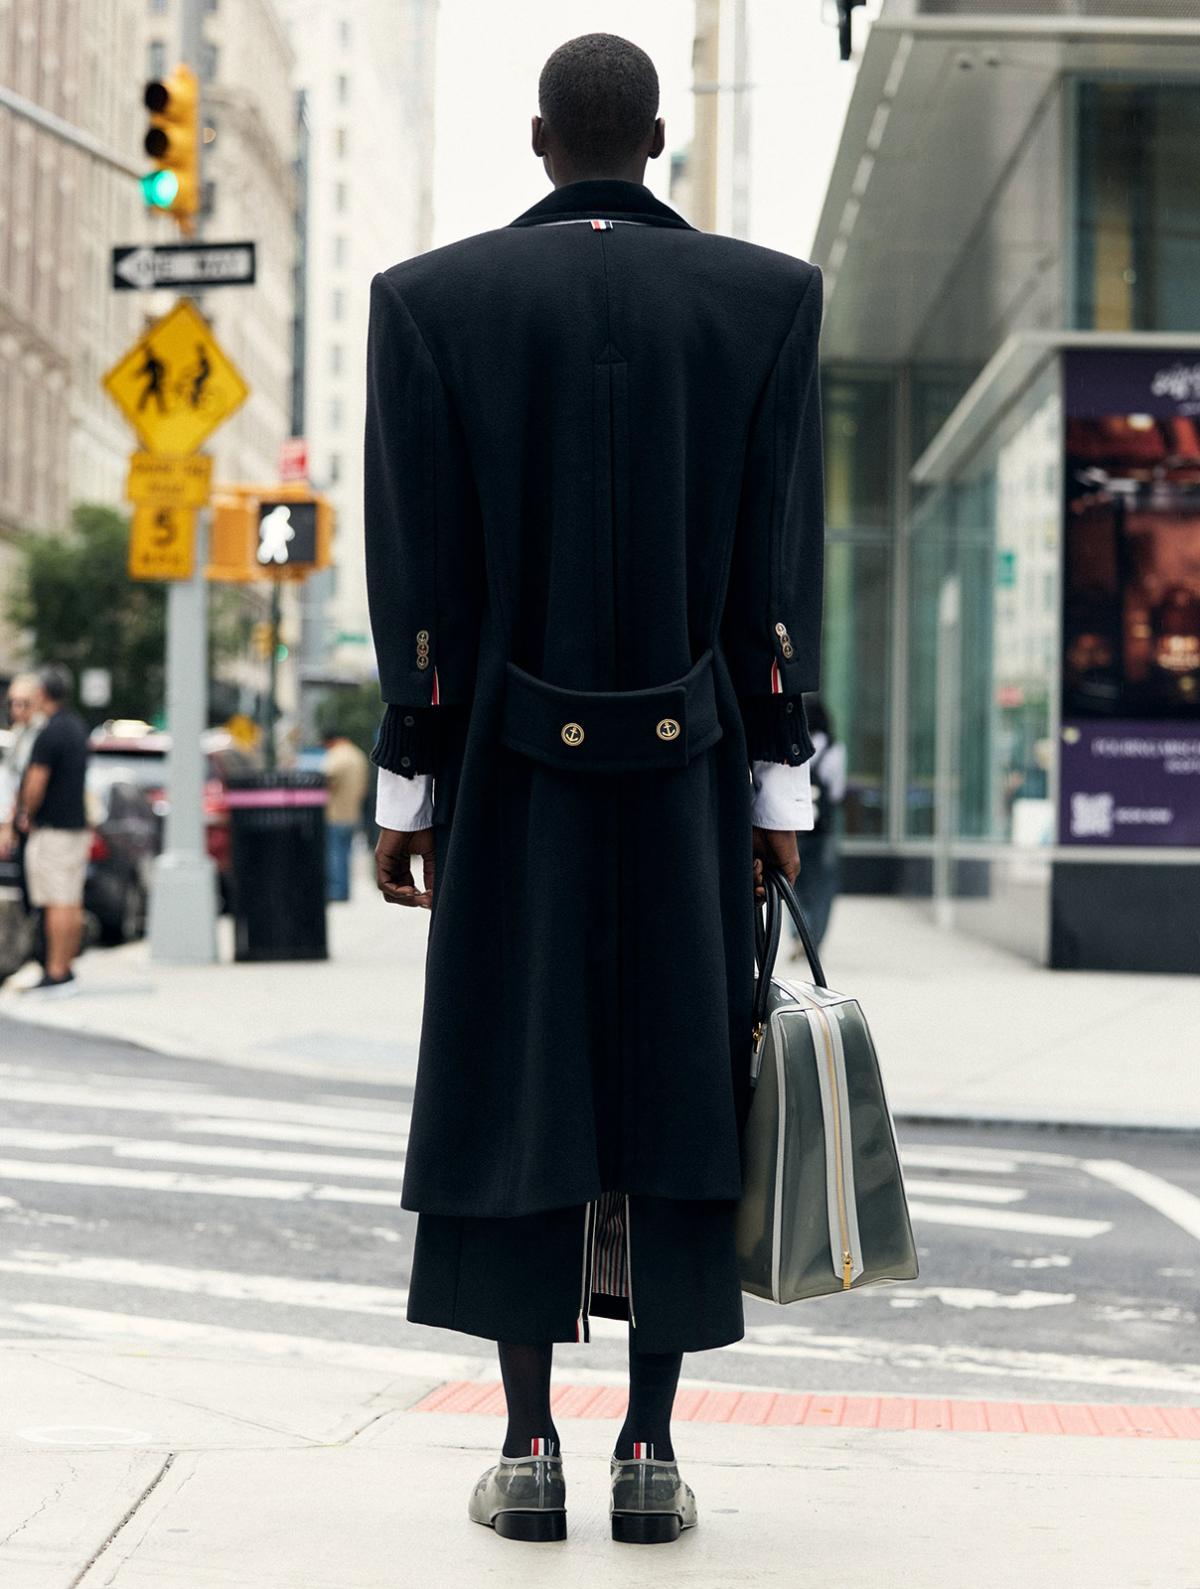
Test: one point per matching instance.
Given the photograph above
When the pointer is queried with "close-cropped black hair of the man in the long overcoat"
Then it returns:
(598, 95)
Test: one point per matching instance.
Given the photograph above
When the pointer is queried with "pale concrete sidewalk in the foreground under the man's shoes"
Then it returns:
(172, 1471)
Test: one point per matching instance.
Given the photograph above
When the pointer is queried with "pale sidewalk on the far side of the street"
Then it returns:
(966, 1030)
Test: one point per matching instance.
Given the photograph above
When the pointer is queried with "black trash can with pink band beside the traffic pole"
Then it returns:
(277, 833)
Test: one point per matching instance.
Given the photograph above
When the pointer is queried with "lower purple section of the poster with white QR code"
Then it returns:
(1129, 783)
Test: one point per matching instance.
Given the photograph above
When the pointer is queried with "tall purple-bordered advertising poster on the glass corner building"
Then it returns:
(1131, 678)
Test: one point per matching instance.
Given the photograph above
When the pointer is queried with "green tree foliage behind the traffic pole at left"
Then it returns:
(79, 606)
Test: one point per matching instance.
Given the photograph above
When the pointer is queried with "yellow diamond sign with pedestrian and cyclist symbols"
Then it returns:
(176, 385)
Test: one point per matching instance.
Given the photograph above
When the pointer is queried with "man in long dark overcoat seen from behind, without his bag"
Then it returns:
(595, 533)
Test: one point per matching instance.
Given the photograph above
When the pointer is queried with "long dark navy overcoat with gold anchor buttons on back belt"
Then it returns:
(594, 520)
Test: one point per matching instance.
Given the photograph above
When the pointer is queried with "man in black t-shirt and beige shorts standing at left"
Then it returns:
(53, 813)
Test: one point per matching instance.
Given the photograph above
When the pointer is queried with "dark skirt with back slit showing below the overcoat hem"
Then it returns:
(668, 1267)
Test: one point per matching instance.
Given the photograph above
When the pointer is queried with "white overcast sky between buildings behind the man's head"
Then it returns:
(487, 90)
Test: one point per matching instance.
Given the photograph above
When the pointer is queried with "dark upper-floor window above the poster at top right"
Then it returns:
(1137, 206)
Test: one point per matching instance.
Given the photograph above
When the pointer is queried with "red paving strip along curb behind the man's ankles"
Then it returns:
(851, 1412)
